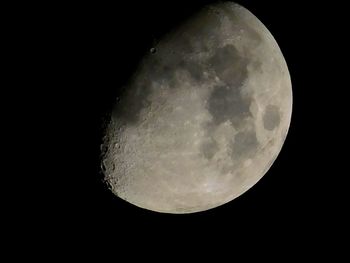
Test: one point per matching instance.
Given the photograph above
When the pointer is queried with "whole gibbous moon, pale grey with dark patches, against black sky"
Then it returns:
(204, 116)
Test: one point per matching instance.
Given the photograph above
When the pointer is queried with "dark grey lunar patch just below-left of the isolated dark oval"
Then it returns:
(244, 145)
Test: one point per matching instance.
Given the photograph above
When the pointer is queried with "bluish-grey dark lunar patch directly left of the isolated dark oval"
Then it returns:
(227, 103)
